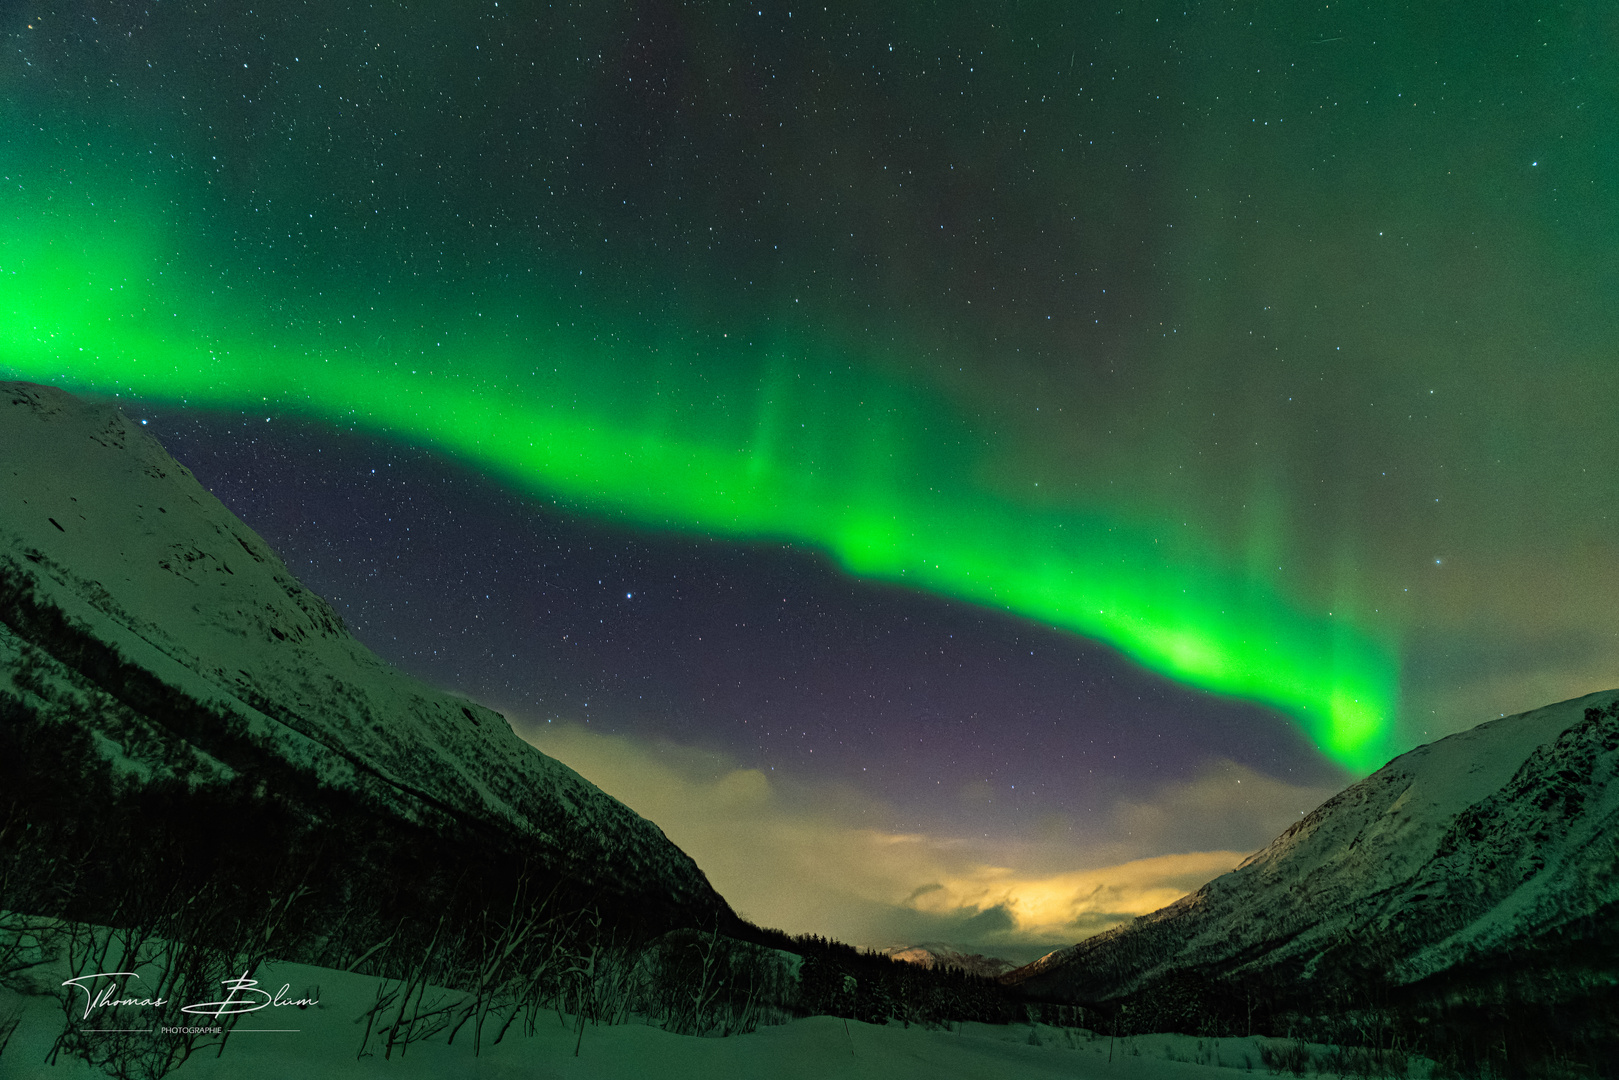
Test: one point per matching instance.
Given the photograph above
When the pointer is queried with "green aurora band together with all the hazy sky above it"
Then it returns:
(1270, 346)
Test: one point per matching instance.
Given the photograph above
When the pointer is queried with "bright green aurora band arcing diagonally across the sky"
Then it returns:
(768, 433)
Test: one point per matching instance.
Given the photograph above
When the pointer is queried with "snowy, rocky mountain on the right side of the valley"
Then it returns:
(1477, 875)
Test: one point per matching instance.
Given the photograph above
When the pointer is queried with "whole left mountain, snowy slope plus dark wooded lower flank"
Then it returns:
(168, 687)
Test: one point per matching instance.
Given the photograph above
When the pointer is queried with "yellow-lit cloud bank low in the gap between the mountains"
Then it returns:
(828, 861)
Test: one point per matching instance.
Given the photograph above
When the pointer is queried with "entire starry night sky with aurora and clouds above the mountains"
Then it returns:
(1039, 438)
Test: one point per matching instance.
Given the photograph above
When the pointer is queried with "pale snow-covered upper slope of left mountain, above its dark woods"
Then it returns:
(108, 542)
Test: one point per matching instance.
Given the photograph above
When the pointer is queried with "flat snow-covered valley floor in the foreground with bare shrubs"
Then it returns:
(325, 1042)
